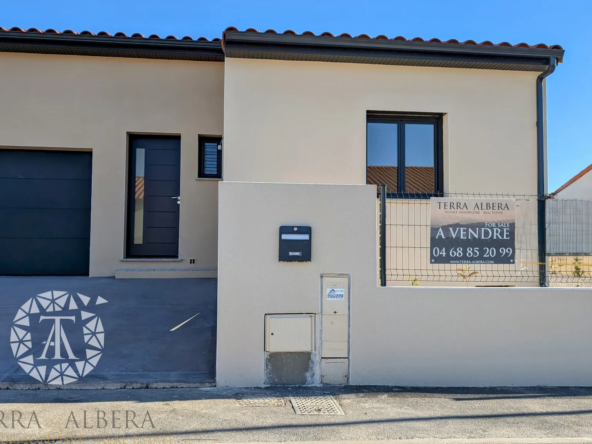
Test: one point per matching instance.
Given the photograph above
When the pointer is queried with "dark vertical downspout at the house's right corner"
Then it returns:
(541, 174)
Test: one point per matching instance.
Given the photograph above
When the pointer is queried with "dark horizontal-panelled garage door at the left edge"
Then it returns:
(44, 212)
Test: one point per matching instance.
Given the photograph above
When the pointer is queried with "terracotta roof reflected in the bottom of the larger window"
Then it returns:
(417, 179)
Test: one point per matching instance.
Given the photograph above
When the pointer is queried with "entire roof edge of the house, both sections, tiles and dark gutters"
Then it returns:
(287, 46)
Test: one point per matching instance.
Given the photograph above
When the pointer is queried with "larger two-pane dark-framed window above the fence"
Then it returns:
(404, 152)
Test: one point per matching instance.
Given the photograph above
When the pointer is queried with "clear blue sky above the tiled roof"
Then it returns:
(566, 22)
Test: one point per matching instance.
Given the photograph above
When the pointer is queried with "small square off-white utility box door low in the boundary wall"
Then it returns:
(289, 333)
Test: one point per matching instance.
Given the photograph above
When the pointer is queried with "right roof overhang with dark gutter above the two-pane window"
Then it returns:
(255, 45)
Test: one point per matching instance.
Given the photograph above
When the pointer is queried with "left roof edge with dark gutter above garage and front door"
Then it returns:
(108, 46)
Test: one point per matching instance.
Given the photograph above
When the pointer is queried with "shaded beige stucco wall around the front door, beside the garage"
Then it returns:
(92, 103)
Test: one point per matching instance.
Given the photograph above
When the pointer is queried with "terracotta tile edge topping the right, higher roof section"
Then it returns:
(400, 38)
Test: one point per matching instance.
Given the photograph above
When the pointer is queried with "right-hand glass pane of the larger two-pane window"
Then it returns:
(420, 174)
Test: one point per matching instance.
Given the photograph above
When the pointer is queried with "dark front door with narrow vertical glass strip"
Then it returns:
(153, 197)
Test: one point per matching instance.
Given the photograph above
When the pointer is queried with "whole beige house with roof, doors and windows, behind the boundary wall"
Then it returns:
(83, 105)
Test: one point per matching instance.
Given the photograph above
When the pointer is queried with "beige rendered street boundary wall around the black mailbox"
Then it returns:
(399, 335)
